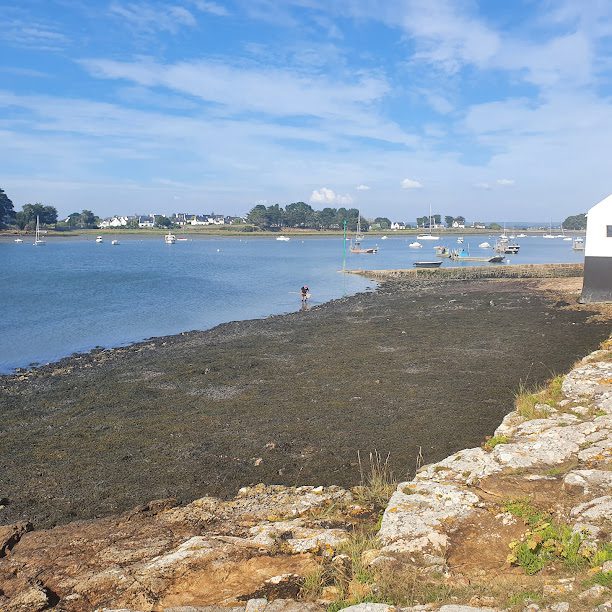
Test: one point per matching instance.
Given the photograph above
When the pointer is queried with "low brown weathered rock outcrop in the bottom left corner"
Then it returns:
(158, 556)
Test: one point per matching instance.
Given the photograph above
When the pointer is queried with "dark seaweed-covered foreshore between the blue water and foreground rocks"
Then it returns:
(420, 364)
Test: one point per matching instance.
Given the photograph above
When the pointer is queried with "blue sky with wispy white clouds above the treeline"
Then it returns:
(486, 109)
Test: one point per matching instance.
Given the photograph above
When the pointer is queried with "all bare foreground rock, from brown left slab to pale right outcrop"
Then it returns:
(251, 553)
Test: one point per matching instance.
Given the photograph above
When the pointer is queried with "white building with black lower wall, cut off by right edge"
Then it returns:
(597, 283)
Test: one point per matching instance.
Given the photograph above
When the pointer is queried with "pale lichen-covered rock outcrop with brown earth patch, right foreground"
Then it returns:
(451, 509)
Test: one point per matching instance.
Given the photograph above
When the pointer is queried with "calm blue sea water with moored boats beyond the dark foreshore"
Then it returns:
(72, 294)
